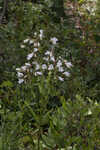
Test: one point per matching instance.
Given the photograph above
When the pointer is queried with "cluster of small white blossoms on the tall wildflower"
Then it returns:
(49, 63)
